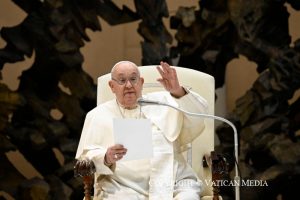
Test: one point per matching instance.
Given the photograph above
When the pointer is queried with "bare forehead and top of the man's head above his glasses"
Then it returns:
(125, 68)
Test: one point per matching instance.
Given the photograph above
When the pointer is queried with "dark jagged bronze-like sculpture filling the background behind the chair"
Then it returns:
(42, 118)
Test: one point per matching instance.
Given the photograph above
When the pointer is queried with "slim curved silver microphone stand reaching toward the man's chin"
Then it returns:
(236, 178)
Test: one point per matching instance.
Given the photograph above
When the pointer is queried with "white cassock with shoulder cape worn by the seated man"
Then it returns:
(167, 175)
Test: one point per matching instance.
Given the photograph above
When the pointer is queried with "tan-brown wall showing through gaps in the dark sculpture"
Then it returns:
(122, 42)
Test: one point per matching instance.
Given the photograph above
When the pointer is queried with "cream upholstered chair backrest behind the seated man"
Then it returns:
(199, 82)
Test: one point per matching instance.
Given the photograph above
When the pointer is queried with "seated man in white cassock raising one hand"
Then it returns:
(166, 175)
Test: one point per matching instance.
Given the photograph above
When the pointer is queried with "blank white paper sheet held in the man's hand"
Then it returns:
(136, 136)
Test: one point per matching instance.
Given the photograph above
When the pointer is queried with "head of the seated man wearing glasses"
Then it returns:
(127, 84)
